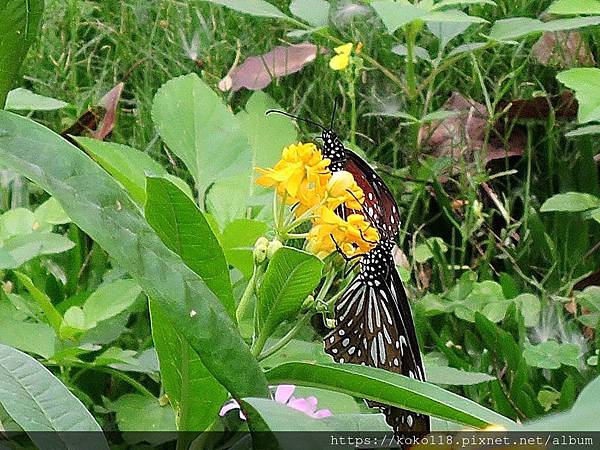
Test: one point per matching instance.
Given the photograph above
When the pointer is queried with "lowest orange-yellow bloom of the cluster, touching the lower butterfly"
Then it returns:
(354, 235)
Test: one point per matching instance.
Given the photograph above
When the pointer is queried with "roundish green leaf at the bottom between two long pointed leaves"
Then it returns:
(143, 413)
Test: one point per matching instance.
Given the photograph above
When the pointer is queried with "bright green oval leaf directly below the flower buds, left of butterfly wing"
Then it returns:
(290, 277)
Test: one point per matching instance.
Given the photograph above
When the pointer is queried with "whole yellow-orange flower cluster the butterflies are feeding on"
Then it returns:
(302, 179)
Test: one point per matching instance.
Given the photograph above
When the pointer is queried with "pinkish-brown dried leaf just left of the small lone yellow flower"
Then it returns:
(256, 72)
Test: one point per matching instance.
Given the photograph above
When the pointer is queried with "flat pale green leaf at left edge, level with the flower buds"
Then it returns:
(28, 246)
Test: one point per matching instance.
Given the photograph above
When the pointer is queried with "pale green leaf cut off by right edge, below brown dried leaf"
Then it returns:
(584, 81)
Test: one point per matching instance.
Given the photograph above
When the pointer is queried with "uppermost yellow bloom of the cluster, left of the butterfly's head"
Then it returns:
(301, 166)
